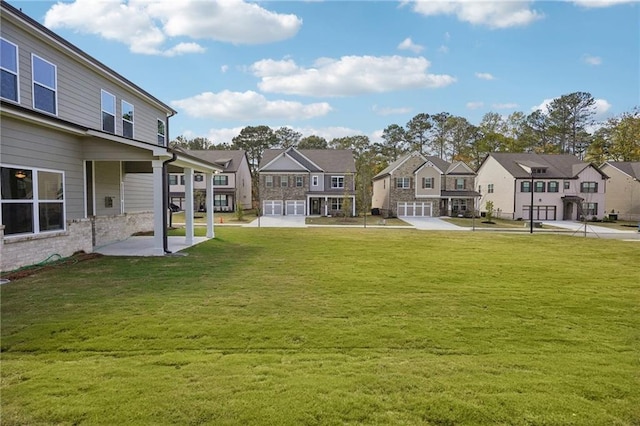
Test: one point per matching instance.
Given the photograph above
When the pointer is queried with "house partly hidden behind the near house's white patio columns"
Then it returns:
(231, 187)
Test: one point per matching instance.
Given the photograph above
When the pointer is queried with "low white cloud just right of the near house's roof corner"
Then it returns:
(247, 106)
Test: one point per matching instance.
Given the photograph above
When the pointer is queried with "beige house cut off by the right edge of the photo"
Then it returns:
(623, 189)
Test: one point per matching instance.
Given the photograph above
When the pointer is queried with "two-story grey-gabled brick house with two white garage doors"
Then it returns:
(307, 182)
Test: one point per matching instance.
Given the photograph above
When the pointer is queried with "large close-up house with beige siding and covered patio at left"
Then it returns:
(84, 150)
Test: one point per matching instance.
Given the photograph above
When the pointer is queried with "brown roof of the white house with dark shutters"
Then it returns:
(559, 166)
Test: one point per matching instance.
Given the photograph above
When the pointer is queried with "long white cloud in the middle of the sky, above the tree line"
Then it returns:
(349, 75)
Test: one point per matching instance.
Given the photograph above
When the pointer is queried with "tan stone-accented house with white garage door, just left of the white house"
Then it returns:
(419, 185)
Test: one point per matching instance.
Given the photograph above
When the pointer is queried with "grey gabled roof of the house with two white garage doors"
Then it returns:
(314, 160)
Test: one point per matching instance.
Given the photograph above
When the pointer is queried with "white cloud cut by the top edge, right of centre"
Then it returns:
(494, 14)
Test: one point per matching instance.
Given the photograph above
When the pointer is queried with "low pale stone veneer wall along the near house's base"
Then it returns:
(81, 235)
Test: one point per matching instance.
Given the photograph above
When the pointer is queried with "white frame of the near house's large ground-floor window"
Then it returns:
(35, 200)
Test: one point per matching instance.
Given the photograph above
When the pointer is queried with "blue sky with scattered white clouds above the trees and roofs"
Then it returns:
(336, 68)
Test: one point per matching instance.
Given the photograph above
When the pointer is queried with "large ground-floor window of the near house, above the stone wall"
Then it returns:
(32, 200)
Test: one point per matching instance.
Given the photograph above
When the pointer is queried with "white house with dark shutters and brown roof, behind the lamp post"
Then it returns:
(560, 186)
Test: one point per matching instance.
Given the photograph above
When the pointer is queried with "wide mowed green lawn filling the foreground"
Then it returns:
(332, 326)
